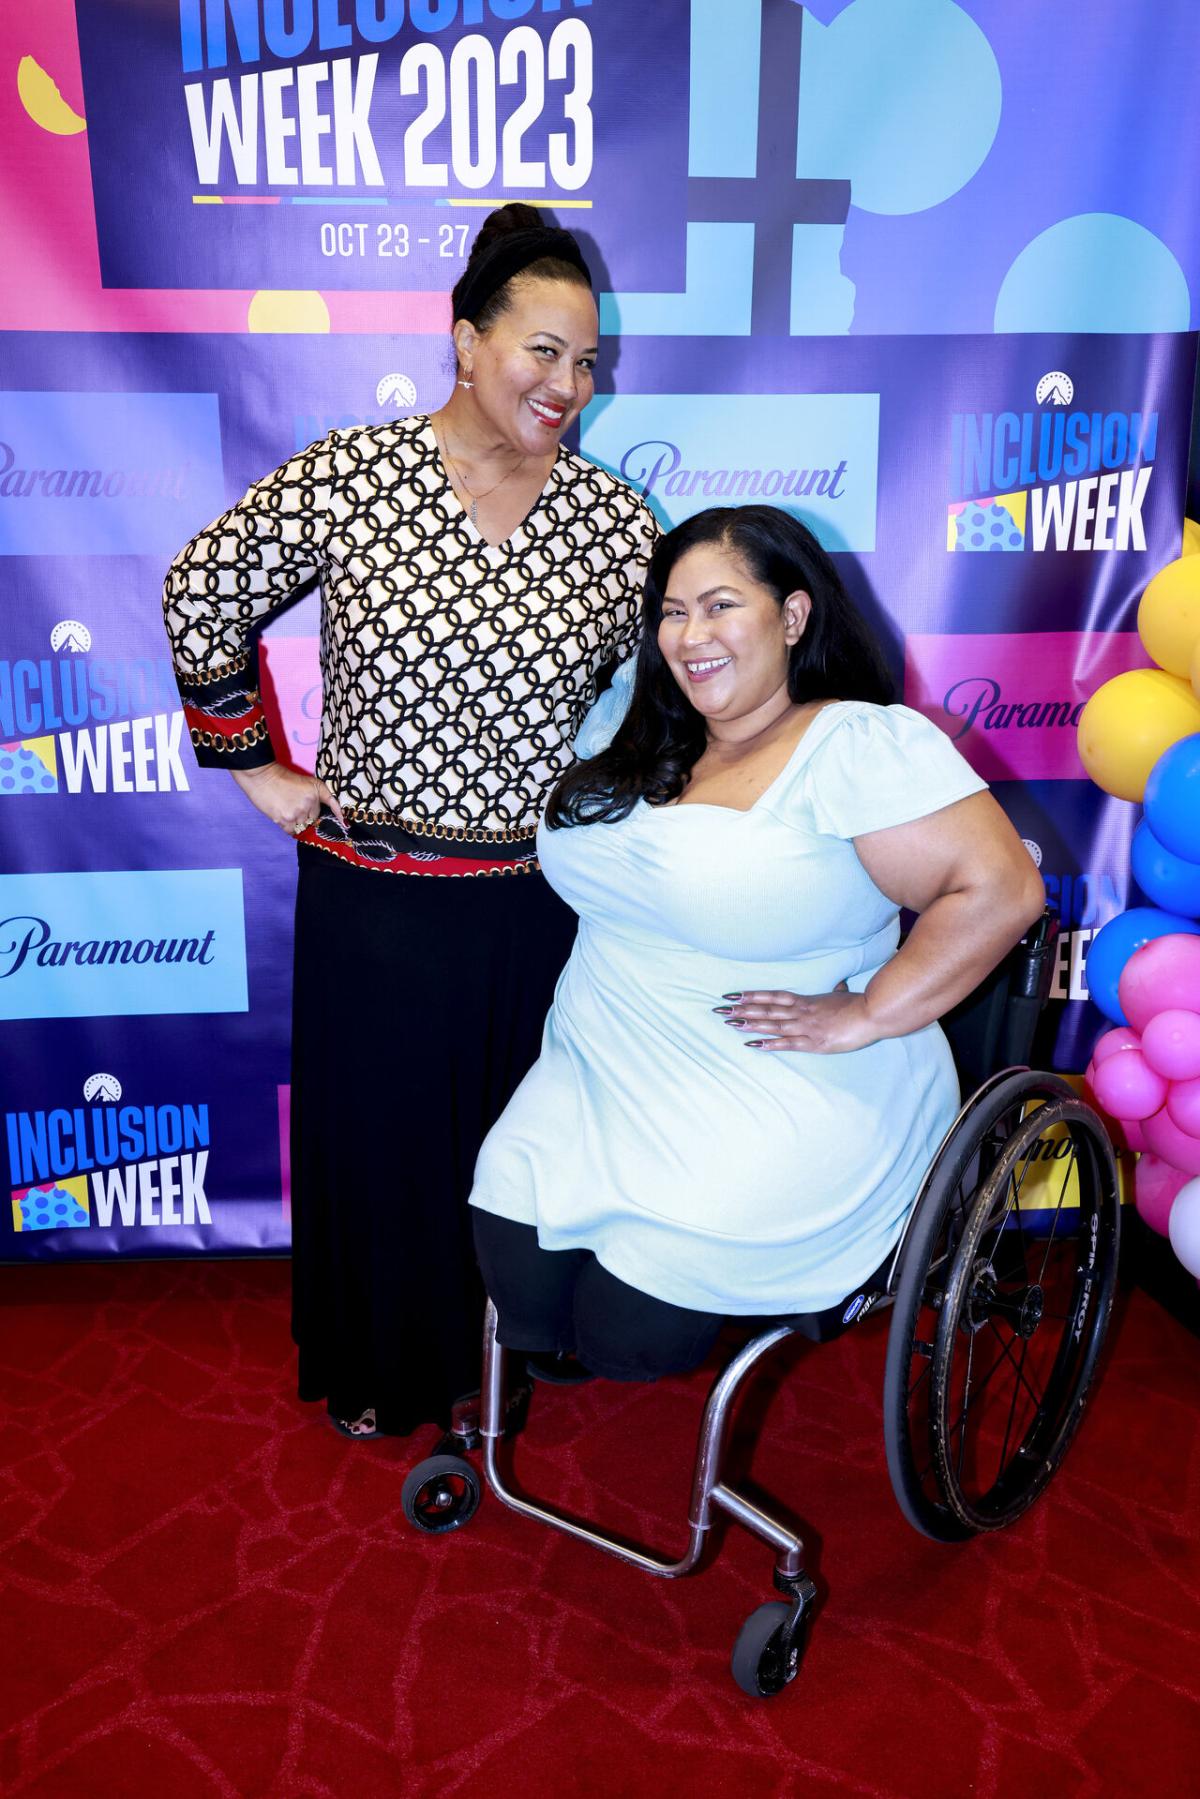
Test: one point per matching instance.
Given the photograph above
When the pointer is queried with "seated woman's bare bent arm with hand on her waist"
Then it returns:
(976, 890)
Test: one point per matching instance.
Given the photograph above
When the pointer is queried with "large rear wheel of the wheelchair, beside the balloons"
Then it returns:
(1003, 1302)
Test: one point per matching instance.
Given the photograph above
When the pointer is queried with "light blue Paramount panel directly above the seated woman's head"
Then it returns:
(812, 454)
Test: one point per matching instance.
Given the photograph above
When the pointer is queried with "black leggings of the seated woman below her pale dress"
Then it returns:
(564, 1302)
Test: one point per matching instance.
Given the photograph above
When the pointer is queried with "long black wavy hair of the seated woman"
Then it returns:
(663, 735)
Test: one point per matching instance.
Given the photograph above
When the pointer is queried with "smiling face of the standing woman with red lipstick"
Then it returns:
(533, 368)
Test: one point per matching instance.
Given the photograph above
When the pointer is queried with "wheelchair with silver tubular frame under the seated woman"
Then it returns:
(999, 1293)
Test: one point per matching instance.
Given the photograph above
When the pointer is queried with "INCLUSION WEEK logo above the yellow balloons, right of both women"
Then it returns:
(1055, 479)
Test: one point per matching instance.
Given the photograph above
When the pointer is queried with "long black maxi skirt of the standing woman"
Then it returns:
(418, 1007)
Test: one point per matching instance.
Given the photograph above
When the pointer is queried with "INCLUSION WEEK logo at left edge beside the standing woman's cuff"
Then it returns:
(82, 724)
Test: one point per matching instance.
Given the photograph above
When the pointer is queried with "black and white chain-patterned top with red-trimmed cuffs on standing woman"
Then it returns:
(456, 674)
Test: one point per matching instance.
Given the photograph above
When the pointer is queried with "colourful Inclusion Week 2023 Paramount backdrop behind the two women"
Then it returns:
(924, 273)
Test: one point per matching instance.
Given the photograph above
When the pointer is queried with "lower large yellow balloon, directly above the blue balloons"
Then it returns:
(1129, 724)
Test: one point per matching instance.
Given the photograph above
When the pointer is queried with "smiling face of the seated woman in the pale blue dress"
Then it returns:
(726, 638)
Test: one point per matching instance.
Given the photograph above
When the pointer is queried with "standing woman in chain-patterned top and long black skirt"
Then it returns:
(476, 577)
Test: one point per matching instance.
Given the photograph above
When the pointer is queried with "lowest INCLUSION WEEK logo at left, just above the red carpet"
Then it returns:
(109, 1165)
